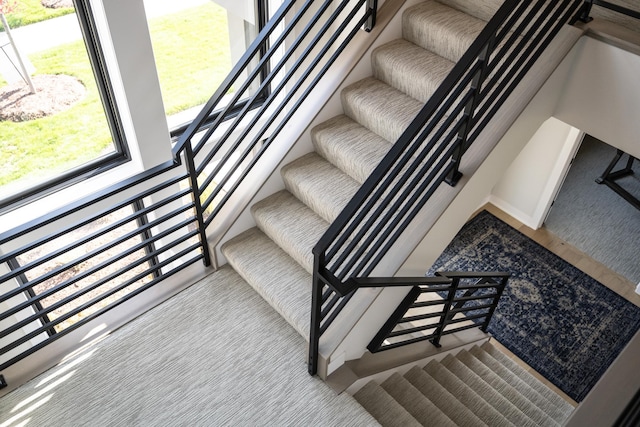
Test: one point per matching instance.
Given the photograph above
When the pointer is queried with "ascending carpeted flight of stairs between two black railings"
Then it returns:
(275, 257)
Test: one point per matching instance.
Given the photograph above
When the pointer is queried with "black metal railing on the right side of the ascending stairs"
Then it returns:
(429, 152)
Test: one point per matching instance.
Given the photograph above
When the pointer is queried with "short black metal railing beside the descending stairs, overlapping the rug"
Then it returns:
(437, 306)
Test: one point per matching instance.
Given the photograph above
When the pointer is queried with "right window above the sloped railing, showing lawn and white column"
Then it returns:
(195, 44)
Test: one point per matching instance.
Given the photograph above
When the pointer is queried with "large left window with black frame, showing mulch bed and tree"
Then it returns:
(69, 128)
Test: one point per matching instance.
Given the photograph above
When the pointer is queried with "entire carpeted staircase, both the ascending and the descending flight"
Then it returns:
(276, 259)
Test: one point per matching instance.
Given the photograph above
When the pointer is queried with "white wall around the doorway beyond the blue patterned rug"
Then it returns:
(600, 96)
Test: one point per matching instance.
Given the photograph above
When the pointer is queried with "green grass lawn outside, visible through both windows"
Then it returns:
(192, 54)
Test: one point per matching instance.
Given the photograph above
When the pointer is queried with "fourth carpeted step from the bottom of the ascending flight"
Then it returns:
(349, 146)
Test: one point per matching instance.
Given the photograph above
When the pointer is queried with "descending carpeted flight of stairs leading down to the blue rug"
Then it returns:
(475, 388)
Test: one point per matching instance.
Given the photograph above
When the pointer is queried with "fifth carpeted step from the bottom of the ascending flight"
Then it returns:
(379, 107)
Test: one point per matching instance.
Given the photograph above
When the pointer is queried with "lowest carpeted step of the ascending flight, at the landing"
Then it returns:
(281, 281)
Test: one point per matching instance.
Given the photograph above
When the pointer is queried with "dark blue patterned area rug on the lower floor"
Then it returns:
(560, 321)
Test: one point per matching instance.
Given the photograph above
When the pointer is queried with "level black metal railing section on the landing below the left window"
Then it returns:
(69, 267)
